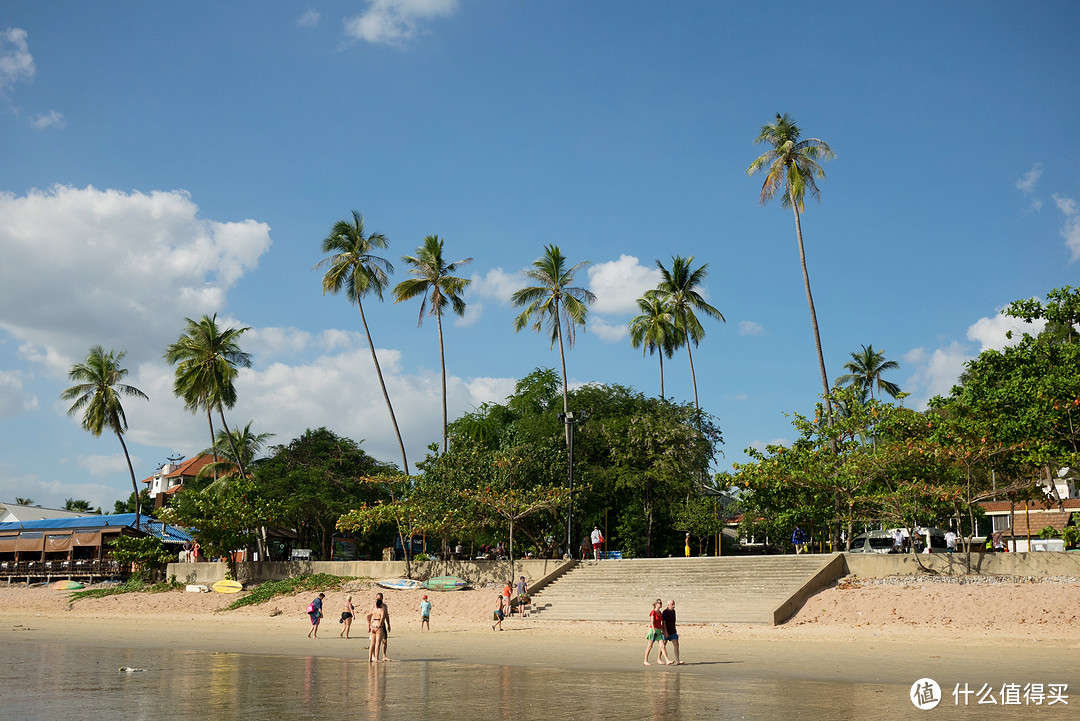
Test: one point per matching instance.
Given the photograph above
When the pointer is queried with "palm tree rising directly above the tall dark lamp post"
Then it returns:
(555, 302)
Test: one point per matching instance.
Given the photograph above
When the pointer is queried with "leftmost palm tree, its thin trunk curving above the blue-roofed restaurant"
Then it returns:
(97, 393)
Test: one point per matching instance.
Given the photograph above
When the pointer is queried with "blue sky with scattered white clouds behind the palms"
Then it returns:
(167, 160)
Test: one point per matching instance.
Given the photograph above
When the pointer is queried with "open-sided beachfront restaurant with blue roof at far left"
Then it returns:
(77, 549)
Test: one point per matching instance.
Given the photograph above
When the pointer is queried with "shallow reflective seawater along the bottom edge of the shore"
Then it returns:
(51, 682)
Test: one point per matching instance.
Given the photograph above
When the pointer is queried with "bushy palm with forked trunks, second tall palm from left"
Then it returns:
(207, 359)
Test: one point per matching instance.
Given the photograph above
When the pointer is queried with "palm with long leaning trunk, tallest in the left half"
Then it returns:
(354, 268)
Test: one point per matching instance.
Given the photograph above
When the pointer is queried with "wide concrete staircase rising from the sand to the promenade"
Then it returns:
(736, 590)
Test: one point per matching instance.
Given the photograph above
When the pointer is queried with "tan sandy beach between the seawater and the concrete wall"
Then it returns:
(884, 631)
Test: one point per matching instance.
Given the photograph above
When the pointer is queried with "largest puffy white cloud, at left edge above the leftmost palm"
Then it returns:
(124, 269)
